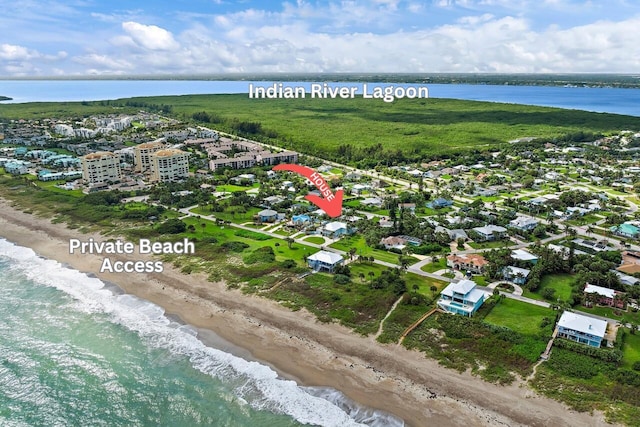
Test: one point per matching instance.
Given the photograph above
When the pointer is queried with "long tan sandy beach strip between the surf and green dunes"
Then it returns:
(298, 346)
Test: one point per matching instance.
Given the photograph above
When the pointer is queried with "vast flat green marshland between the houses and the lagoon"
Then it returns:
(318, 126)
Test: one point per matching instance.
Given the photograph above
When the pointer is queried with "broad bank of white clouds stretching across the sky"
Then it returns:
(343, 36)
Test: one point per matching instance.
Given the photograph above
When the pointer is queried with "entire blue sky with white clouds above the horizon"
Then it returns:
(91, 37)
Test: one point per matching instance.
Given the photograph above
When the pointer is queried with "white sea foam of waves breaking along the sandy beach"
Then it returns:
(257, 384)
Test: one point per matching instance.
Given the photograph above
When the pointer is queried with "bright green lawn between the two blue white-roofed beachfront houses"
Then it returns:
(521, 317)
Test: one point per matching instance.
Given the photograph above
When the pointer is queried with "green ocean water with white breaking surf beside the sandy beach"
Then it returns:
(77, 351)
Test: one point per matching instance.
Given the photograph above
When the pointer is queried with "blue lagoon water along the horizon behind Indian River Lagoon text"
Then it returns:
(604, 100)
